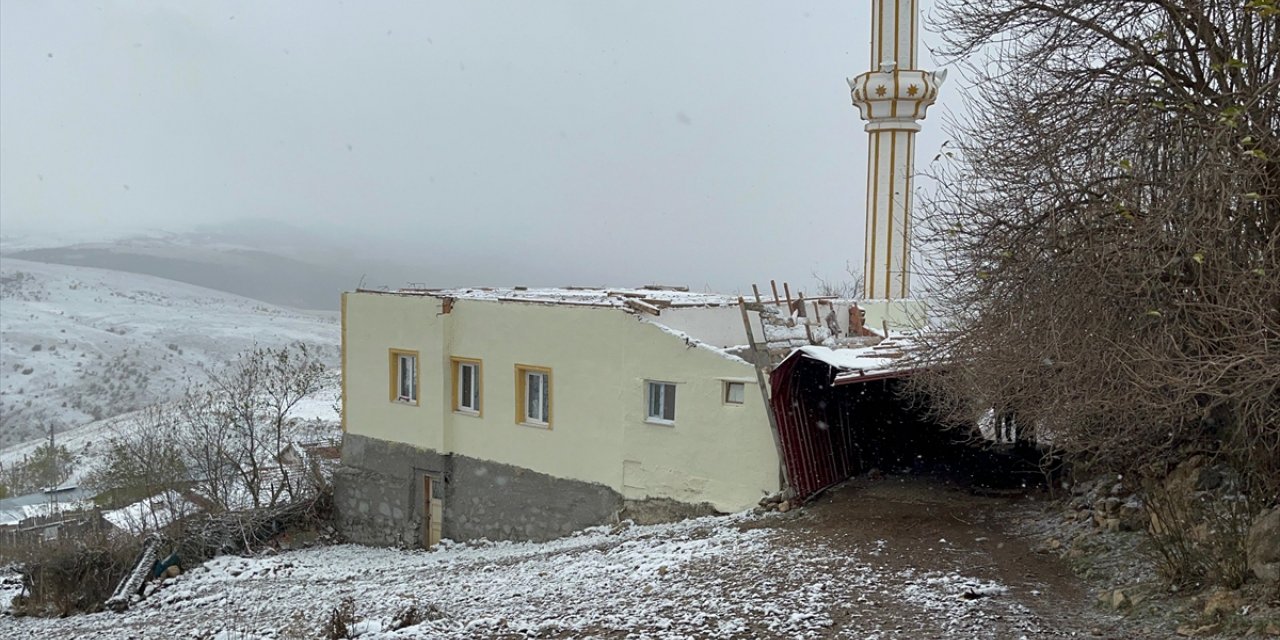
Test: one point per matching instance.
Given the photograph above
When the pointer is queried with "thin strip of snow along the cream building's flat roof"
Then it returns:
(659, 298)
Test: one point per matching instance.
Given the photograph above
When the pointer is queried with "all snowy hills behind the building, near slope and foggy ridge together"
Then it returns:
(97, 326)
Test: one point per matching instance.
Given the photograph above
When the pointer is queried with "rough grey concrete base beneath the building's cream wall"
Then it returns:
(380, 500)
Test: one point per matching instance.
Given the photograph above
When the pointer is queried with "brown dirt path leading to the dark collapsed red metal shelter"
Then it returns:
(921, 525)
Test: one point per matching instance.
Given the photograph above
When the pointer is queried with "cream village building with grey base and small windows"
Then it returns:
(528, 414)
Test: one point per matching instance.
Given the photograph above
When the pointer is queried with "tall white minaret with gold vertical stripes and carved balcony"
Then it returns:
(892, 99)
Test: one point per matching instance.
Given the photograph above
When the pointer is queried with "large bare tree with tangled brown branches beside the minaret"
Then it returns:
(1109, 228)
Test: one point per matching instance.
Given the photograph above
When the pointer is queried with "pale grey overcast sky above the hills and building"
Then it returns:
(703, 144)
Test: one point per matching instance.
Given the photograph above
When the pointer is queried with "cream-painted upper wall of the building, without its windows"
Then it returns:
(600, 360)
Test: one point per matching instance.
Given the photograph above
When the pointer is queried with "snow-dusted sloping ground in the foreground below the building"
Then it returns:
(739, 577)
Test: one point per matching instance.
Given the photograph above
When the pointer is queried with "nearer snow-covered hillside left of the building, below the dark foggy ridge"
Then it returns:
(80, 345)
